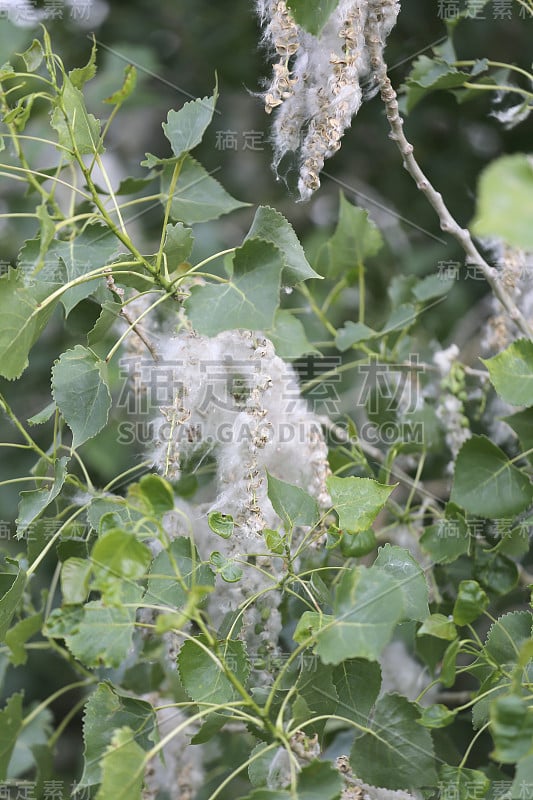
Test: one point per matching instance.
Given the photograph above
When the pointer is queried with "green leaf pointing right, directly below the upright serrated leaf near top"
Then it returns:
(197, 197)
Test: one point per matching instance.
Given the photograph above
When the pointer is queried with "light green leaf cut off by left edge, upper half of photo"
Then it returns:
(21, 321)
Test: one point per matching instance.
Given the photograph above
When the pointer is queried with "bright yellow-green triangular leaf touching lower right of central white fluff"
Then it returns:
(357, 501)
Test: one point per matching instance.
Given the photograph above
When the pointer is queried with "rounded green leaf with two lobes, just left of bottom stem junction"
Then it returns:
(202, 677)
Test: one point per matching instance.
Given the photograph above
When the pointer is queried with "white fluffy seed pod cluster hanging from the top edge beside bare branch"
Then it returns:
(317, 84)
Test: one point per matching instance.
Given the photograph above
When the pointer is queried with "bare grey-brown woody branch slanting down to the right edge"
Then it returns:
(448, 223)
